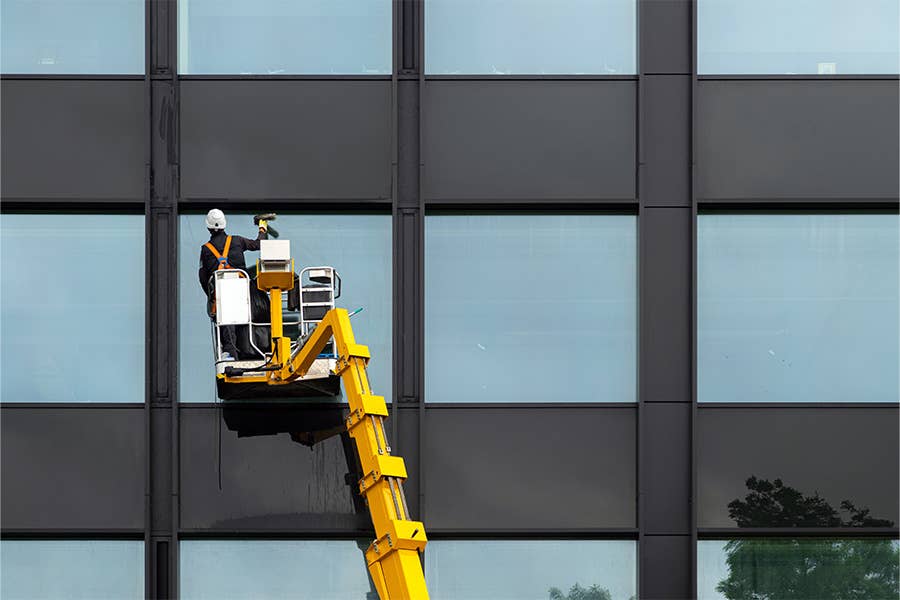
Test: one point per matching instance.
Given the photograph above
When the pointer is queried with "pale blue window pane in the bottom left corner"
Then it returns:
(71, 569)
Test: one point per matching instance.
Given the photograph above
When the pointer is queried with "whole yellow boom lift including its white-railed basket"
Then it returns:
(292, 366)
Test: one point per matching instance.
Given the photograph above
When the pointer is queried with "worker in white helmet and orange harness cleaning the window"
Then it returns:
(224, 251)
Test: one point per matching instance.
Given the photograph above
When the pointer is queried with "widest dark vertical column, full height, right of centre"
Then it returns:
(665, 471)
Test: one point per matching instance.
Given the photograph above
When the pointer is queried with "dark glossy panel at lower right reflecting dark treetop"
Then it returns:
(797, 467)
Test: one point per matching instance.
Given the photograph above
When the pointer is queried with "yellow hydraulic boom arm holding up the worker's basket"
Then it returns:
(393, 558)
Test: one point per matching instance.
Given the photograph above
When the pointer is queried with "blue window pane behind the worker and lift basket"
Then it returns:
(357, 245)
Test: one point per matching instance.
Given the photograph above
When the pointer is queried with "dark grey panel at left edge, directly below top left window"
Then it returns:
(73, 139)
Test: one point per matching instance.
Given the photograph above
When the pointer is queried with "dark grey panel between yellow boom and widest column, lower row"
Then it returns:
(529, 468)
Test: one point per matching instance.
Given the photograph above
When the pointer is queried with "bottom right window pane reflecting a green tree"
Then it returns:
(800, 569)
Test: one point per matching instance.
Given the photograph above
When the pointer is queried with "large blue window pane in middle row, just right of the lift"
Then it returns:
(530, 308)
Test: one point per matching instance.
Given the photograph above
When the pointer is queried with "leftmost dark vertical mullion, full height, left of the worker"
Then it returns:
(161, 228)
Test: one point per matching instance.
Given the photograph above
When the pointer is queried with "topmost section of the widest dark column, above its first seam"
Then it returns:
(665, 36)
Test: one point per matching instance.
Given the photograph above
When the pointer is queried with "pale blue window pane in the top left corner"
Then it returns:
(91, 37)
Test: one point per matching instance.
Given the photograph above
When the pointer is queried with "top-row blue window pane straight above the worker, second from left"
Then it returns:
(284, 37)
